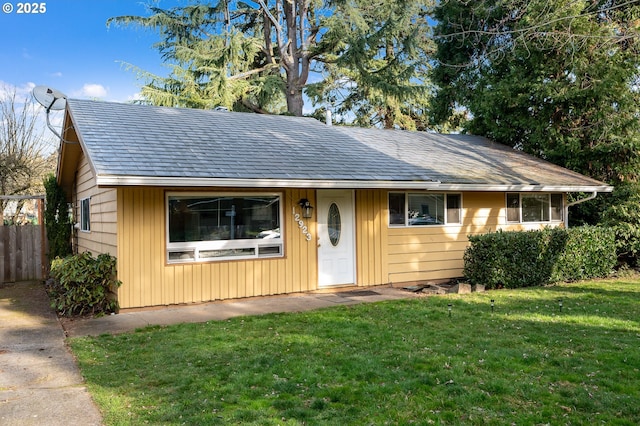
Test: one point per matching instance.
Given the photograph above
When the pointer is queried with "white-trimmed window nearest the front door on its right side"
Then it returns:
(424, 209)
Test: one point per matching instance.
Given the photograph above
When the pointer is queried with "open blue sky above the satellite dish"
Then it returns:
(70, 48)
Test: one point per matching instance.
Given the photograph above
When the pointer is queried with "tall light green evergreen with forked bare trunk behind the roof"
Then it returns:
(372, 57)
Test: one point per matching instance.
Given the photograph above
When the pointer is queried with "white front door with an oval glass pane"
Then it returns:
(336, 237)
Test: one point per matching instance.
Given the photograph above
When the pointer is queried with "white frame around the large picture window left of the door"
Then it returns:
(204, 251)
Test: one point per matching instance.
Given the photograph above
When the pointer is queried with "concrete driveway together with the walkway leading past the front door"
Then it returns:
(40, 383)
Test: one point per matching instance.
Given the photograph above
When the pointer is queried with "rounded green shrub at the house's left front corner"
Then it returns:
(84, 285)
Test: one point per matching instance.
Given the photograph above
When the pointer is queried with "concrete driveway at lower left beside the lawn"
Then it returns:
(40, 383)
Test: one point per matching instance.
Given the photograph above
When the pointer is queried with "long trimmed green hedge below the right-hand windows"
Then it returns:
(531, 258)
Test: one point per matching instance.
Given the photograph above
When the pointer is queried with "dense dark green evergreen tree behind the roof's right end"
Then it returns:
(555, 78)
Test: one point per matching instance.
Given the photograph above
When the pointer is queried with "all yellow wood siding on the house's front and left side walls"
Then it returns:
(384, 254)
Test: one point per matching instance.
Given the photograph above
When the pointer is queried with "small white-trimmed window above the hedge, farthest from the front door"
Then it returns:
(534, 207)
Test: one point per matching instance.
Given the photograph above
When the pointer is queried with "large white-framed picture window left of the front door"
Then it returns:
(221, 226)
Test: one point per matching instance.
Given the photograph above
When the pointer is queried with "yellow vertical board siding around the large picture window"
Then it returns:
(148, 280)
